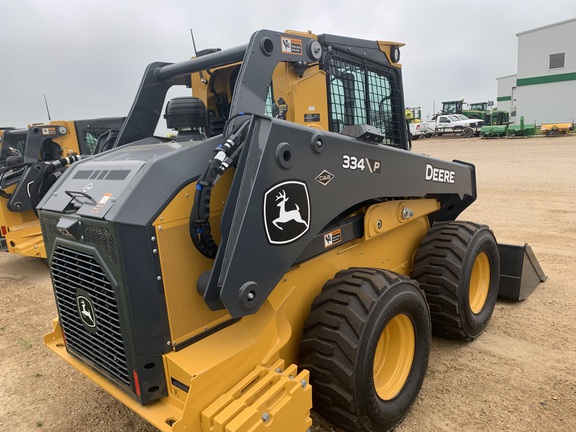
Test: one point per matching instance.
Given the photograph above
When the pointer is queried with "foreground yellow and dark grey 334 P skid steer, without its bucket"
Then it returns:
(287, 251)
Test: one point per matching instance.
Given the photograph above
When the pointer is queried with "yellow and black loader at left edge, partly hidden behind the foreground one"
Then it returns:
(39, 154)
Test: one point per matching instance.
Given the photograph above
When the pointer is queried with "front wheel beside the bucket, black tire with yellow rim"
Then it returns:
(458, 267)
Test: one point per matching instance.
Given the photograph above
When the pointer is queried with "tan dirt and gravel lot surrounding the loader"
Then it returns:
(518, 376)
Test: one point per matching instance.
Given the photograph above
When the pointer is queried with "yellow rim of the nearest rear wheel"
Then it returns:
(394, 357)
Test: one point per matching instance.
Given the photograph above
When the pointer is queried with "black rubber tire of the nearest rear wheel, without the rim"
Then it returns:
(334, 346)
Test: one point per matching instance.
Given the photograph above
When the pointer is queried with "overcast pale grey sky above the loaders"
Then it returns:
(88, 56)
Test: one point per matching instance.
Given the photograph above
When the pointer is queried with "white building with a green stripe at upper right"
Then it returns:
(544, 89)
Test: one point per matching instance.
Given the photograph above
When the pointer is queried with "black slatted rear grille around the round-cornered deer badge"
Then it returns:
(73, 271)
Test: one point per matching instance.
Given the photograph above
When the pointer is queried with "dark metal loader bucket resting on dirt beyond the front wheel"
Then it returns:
(520, 272)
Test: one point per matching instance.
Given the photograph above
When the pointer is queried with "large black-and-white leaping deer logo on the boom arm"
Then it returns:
(286, 212)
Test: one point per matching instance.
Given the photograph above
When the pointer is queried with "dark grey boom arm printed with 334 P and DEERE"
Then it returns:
(284, 159)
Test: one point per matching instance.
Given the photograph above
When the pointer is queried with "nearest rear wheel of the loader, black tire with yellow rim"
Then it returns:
(347, 348)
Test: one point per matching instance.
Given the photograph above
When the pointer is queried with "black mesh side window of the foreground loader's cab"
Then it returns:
(360, 94)
